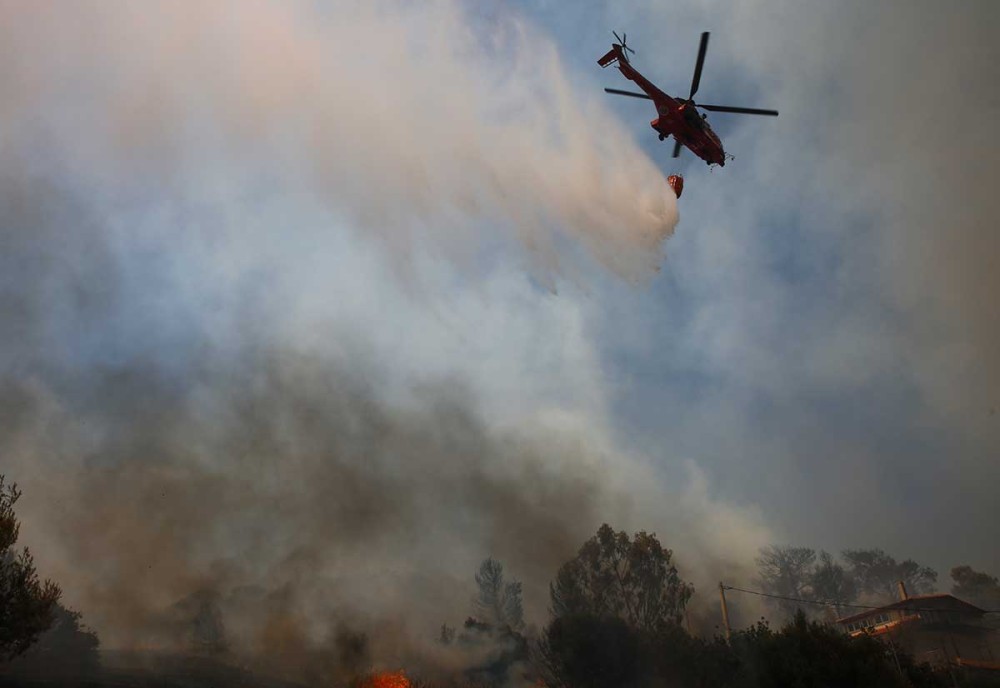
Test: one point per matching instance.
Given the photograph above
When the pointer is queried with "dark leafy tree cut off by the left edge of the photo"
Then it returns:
(27, 605)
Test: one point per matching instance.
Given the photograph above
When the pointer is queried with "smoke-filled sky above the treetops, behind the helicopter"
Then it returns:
(330, 300)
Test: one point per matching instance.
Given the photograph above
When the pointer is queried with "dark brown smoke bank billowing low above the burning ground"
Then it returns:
(308, 503)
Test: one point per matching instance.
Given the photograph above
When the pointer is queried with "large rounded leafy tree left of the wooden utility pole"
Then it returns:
(629, 578)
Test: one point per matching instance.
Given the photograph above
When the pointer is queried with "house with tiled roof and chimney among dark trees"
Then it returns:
(940, 629)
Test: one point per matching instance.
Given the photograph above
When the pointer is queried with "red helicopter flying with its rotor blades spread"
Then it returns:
(677, 117)
